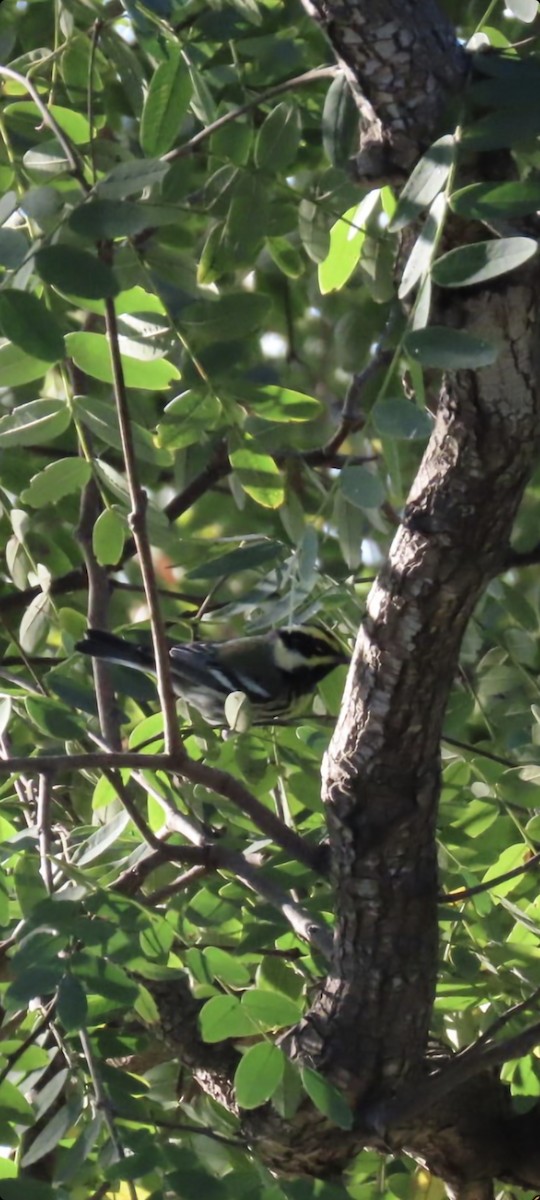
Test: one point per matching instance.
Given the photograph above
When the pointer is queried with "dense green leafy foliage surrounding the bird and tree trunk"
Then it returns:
(159, 165)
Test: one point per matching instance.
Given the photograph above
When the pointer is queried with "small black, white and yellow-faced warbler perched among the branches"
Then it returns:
(275, 671)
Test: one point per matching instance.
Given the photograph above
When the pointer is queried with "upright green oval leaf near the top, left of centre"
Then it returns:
(166, 105)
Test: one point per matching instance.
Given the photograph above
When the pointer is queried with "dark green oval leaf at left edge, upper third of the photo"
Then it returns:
(29, 325)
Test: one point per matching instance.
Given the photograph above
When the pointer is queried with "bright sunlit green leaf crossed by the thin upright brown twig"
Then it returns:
(92, 355)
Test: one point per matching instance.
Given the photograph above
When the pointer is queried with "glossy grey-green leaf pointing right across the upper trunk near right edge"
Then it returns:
(482, 261)
